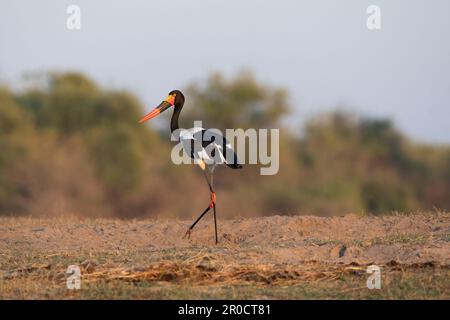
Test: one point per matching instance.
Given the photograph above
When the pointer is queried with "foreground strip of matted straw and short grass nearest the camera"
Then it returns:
(199, 281)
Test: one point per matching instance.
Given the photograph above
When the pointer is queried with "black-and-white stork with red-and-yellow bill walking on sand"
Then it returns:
(207, 148)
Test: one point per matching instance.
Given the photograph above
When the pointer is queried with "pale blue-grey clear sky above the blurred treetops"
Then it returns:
(321, 51)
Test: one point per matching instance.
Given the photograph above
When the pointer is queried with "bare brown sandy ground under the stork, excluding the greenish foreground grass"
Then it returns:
(267, 250)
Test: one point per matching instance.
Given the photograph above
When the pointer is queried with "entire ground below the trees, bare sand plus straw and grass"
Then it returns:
(148, 260)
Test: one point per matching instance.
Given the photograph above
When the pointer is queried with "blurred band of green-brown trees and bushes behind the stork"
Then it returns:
(70, 146)
